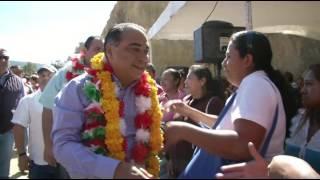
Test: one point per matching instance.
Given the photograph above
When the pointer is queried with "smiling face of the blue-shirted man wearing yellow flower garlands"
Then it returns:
(130, 56)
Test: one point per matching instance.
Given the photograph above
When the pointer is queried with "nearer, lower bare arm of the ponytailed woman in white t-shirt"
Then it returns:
(229, 144)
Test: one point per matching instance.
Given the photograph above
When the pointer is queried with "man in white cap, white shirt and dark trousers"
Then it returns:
(28, 115)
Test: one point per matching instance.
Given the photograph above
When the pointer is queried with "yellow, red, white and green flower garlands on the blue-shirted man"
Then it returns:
(104, 128)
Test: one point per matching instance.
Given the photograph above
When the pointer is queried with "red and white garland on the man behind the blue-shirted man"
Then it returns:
(77, 67)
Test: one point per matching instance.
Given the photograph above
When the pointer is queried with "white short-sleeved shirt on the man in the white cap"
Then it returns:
(29, 114)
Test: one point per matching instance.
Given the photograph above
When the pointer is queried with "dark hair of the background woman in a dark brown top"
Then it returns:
(213, 87)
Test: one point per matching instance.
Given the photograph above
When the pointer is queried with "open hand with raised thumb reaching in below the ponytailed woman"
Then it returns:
(253, 169)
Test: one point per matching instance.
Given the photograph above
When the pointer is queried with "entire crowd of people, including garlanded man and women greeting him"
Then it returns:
(104, 115)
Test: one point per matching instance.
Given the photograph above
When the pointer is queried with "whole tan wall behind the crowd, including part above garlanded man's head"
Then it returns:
(290, 53)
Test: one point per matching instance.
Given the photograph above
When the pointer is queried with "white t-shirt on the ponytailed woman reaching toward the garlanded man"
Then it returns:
(256, 101)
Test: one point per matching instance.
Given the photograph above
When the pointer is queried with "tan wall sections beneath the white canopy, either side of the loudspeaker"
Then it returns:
(290, 53)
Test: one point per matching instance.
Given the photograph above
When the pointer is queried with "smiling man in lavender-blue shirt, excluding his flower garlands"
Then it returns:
(127, 52)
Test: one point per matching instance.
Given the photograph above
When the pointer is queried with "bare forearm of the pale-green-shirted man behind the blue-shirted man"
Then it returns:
(47, 126)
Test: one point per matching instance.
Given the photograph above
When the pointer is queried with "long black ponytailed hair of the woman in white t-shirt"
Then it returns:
(258, 45)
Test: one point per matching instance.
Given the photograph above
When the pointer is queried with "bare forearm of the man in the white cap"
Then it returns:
(19, 138)
